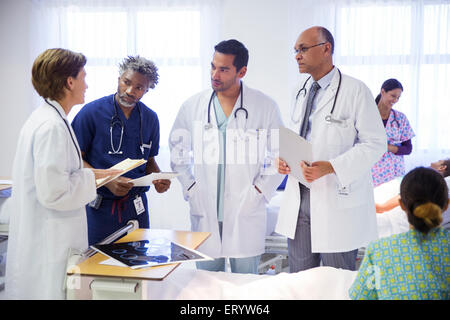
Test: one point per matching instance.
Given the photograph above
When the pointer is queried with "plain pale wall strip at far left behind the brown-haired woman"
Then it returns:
(16, 91)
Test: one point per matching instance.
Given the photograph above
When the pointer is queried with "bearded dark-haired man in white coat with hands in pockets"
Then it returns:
(223, 142)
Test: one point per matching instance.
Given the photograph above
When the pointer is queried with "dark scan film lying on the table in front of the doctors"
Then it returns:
(149, 253)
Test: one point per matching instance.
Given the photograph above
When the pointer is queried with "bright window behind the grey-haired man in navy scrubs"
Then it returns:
(171, 38)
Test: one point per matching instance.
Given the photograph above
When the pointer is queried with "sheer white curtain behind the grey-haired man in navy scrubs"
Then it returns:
(178, 35)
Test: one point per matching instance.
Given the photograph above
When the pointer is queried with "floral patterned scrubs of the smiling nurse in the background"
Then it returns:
(391, 165)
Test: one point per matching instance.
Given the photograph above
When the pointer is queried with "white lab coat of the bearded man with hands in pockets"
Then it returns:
(244, 222)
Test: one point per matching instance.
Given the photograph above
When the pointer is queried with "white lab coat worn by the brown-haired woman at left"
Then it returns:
(47, 206)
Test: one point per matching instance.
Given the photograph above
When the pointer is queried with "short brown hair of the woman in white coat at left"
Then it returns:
(52, 68)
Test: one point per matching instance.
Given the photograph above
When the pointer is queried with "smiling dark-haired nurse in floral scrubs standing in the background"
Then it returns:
(399, 134)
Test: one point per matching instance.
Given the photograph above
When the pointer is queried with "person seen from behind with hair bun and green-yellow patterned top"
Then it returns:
(414, 264)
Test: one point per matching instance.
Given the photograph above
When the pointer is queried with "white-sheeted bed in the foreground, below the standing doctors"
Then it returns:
(321, 283)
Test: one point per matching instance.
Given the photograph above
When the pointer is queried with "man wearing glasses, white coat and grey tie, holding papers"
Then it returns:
(327, 221)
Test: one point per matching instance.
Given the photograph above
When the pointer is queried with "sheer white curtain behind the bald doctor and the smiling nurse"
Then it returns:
(404, 39)
